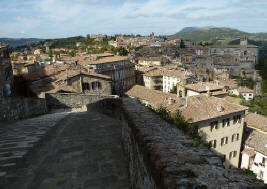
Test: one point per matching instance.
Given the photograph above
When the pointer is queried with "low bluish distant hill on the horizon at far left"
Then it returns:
(15, 42)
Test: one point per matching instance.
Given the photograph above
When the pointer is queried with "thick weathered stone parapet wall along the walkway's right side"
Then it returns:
(160, 156)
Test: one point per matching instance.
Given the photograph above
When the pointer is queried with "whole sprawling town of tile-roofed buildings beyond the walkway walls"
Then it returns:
(206, 85)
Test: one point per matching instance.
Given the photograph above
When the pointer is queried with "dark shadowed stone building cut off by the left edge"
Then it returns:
(6, 76)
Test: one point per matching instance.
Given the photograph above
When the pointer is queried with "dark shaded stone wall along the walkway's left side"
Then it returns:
(14, 108)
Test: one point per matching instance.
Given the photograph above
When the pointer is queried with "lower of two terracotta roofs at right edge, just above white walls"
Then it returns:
(257, 141)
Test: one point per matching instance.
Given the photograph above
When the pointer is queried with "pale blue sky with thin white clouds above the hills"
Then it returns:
(65, 18)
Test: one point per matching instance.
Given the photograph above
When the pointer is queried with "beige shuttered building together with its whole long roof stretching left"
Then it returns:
(219, 122)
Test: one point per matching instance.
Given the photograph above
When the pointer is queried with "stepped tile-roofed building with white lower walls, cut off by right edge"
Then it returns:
(254, 155)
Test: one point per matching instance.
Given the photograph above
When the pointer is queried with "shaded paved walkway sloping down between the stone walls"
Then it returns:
(83, 150)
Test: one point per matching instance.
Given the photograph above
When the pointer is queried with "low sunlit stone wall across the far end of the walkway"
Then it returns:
(72, 100)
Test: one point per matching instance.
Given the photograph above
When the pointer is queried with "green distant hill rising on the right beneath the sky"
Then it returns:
(216, 35)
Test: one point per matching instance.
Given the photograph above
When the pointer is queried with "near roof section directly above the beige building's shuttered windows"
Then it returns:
(202, 107)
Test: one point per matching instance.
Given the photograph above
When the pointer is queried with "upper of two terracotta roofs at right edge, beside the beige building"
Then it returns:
(257, 121)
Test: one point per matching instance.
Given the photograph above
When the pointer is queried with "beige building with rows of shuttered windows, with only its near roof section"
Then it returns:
(220, 123)
